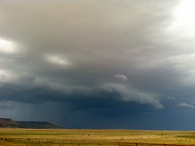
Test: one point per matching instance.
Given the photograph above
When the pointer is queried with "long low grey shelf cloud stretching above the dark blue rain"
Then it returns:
(39, 94)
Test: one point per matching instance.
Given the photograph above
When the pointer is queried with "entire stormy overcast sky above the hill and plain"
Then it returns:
(99, 64)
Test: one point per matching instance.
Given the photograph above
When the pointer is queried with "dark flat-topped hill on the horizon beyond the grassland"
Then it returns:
(9, 123)
